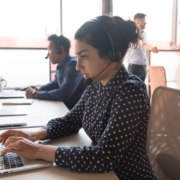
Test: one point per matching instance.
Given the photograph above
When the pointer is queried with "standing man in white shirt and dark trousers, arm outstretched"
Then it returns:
(136, 56)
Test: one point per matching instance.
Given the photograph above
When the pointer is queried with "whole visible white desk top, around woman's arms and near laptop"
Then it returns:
(49, 110)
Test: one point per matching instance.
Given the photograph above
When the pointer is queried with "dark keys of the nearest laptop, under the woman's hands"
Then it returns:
(10, 160)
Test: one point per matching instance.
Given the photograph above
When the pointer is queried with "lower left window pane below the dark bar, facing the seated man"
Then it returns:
(24, 67)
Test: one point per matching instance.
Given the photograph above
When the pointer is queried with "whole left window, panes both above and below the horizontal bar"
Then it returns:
(26, 24)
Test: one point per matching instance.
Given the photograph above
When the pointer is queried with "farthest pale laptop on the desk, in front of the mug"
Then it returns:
(11, 94)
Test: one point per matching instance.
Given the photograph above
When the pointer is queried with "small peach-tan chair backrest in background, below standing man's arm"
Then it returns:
(157, 77)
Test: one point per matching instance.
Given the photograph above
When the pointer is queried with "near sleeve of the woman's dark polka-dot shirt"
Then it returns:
(123, 124)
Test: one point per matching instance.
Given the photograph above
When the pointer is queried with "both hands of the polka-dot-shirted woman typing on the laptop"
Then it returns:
(22, 143)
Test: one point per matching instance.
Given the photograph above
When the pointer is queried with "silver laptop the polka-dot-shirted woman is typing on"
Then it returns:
(11, 162)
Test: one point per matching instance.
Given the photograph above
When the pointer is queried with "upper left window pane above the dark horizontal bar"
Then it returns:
(27, 23)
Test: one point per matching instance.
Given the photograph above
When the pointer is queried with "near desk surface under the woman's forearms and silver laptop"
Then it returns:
(58, 173)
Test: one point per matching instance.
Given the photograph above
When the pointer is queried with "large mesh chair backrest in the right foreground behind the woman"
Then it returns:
(164, 125)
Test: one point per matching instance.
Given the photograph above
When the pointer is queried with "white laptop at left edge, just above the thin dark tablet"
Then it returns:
(13, 110)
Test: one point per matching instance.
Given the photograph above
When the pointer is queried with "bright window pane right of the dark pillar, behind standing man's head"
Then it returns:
(159, 17)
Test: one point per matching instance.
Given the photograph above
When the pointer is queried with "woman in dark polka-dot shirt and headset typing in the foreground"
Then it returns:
(114, 109)
